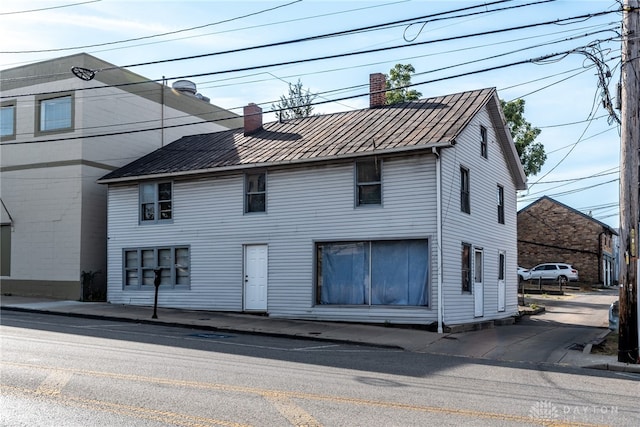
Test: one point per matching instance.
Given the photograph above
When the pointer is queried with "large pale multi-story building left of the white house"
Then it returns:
(59, 134)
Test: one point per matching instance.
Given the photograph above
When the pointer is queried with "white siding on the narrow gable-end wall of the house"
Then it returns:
(480, 228)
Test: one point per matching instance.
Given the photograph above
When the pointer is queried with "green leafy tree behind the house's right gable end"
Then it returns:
(532, 155)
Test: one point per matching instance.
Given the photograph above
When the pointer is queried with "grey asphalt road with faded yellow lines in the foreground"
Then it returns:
(63, 371)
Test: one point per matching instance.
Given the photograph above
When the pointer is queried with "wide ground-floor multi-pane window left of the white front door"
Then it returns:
(140, 265)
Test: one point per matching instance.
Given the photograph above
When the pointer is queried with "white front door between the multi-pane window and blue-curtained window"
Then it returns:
(255, 277)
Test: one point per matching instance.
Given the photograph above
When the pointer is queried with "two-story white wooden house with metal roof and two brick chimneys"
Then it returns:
(401, 214)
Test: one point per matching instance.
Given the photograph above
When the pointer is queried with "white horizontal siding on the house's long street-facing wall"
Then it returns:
(303, 206)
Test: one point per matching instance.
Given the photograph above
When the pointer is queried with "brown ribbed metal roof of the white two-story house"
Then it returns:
(416, 125)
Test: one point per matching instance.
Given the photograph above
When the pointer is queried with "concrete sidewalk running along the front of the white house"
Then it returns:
(526, 341)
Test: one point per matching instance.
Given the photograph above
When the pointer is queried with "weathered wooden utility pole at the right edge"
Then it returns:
(629, 184)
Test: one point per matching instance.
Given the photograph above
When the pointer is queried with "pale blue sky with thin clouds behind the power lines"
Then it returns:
(561, 57)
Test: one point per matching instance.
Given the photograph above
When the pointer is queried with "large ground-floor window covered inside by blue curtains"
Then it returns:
(373, 273)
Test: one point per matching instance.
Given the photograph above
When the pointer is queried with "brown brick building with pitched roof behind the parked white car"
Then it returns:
(549, 231)
